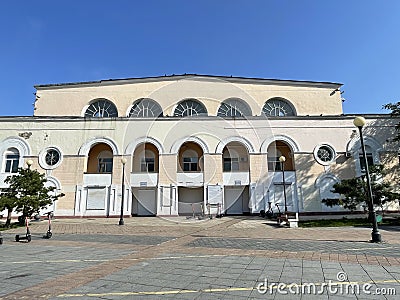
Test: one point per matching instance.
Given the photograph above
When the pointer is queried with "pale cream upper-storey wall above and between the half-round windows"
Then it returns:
(308, 98)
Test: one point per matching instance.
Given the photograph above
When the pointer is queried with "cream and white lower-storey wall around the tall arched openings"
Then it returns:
(80, 135)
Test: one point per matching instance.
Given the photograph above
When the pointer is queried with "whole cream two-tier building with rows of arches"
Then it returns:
(189, 141)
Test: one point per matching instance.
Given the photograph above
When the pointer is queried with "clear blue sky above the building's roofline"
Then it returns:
(354, 42)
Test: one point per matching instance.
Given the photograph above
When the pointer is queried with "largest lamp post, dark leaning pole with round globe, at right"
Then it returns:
(359, 122)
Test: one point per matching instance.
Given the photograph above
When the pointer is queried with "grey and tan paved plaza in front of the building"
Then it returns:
(179, 258)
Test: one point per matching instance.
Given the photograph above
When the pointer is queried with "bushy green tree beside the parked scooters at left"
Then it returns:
(27, 193)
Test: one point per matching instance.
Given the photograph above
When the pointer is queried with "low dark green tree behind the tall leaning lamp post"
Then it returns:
(354, 193)
